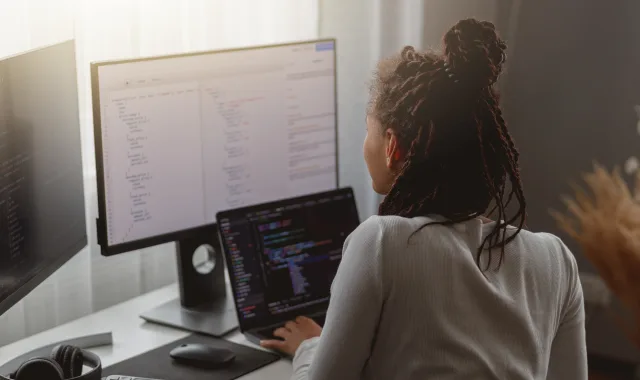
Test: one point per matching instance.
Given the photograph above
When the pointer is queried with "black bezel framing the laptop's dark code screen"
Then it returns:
(272, 319)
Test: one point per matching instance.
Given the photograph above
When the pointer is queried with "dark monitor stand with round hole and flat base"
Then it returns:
(204, 305)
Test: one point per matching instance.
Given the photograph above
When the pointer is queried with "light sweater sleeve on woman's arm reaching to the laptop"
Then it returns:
(354, 311)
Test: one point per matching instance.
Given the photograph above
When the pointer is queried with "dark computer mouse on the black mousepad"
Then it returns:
(202, 356)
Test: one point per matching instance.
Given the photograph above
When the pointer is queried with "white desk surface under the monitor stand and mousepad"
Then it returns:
(131, 335)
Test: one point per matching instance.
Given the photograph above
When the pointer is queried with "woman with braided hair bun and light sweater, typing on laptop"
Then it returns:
(430, 288)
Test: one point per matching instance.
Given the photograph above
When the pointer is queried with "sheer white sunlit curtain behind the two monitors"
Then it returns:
(112, 29)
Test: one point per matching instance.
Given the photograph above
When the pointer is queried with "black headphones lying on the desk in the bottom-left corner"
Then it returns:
(65, 363)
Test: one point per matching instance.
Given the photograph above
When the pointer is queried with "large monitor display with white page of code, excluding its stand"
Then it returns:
(181, 137)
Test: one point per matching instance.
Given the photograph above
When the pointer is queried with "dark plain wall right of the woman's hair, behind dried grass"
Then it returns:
(572, 81)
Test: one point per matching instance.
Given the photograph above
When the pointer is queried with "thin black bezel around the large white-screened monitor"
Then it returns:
(101, 224)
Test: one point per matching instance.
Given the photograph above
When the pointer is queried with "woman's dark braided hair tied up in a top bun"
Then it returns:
(460, 161)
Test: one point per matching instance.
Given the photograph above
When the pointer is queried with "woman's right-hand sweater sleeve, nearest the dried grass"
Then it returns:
(568, 358)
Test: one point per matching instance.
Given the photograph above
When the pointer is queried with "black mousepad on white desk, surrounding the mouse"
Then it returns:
(157, 364)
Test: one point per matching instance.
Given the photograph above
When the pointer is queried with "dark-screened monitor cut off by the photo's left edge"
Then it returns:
(42, 211)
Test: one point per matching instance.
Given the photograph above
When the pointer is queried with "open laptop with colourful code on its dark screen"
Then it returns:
(283, 256)
